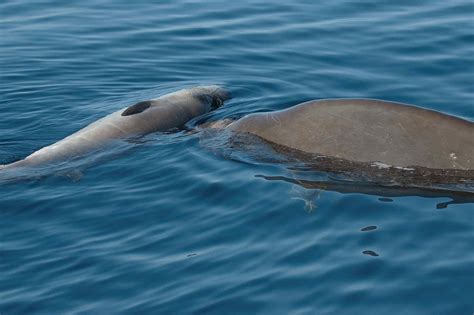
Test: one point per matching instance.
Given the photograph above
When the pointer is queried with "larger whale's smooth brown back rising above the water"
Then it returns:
(365, 130)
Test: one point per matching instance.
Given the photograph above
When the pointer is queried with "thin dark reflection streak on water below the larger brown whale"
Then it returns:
(350, 187)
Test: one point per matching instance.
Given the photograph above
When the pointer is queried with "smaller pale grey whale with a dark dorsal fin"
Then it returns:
(164, 113)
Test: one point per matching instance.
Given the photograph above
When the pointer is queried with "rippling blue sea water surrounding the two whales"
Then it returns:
(171, 225)
